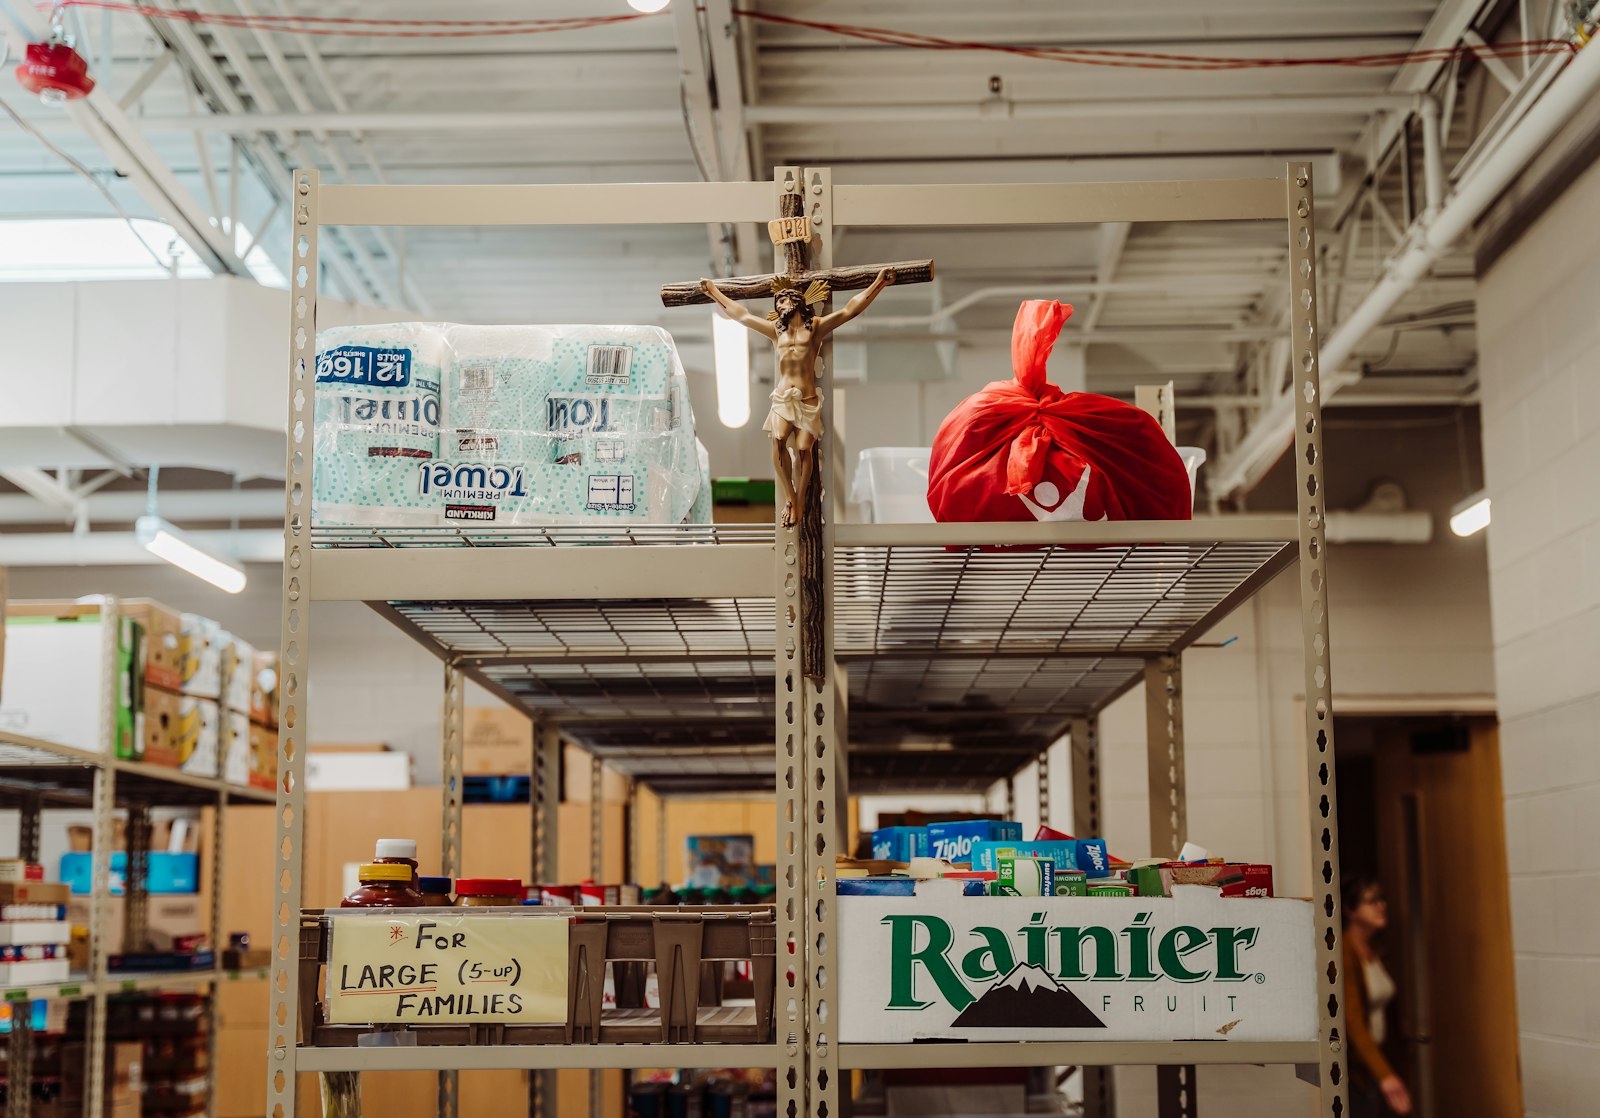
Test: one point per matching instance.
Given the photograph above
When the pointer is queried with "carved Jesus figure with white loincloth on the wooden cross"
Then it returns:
(798, 335)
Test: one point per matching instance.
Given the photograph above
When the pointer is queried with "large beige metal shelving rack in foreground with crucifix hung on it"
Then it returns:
(670, 652)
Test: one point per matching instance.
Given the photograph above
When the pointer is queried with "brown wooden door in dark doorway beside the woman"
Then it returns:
(1442, 836)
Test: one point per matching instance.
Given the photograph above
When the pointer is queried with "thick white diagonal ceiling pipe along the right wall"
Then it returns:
(1428, 241)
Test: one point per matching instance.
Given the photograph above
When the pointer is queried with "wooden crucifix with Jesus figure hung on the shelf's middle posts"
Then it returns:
(799, 325)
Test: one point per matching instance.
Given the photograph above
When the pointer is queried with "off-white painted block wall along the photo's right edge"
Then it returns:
(1538, 335)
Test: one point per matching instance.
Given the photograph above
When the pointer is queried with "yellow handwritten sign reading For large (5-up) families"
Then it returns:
(447, 970)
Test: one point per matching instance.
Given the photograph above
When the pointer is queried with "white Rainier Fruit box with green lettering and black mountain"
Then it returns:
(1190, 967)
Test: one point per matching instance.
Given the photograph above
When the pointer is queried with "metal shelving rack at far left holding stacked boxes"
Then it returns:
(38, 777)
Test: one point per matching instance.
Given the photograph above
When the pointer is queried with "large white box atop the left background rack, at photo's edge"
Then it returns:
(54, 684)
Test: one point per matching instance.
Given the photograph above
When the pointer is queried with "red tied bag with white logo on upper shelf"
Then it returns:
(1026, 450)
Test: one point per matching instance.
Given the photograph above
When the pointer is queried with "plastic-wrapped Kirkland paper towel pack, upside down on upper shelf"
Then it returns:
(447, 425)
